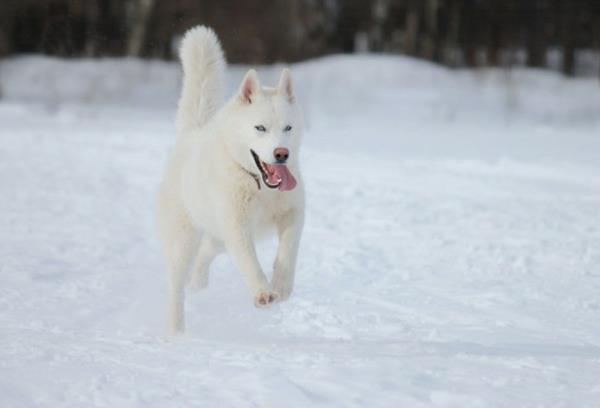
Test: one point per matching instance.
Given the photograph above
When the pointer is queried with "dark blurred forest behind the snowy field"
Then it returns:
(538, 33)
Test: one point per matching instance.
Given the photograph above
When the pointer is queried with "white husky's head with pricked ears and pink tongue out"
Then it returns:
(266, 127)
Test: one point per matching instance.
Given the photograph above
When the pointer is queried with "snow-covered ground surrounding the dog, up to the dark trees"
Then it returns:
(451, 255)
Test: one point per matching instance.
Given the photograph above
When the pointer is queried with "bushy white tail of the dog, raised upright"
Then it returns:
(203, 69)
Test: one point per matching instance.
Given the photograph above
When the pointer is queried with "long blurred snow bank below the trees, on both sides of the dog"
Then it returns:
(353, 82)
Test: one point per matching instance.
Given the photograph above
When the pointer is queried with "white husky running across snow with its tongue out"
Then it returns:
(232, 177)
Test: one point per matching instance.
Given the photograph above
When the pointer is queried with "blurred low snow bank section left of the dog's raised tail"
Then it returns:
(53, 81)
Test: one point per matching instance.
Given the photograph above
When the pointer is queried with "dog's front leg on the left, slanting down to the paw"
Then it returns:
(240, 246)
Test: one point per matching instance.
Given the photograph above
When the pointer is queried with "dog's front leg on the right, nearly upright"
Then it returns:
(289, 228)
